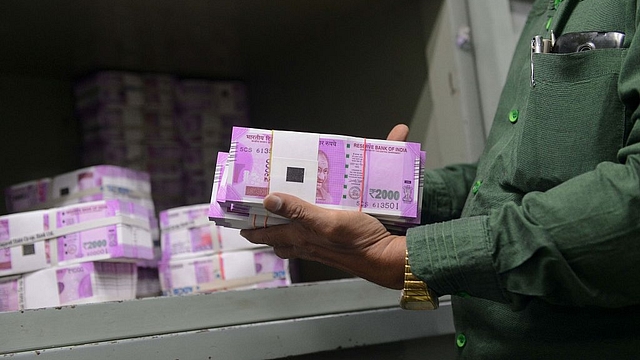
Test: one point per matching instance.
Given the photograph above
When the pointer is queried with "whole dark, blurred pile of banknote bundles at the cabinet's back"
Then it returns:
(169, 127)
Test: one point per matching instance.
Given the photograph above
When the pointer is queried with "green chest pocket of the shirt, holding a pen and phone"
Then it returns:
(574, 117)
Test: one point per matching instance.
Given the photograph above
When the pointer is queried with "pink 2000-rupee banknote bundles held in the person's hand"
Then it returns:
(379, 177)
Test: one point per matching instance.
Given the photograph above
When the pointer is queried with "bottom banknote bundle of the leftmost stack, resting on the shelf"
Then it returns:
(87, 282)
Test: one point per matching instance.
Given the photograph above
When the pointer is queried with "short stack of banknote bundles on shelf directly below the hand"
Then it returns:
(198, 256)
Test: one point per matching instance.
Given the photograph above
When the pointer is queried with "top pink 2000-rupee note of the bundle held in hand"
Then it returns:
(374, 176)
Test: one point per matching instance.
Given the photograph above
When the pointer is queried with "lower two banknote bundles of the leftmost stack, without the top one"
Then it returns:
(72, 254)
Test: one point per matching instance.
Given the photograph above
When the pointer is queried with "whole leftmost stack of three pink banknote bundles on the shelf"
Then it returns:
(77, 237)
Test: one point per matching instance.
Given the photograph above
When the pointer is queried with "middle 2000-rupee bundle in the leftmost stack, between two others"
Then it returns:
(97, 230)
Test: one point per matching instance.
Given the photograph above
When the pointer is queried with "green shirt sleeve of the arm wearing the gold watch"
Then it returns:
(576, 244)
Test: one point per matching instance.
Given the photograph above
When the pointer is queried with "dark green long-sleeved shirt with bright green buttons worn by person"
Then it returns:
(539, 242)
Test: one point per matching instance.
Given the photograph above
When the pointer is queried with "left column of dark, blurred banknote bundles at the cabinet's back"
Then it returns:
(127, 119)
